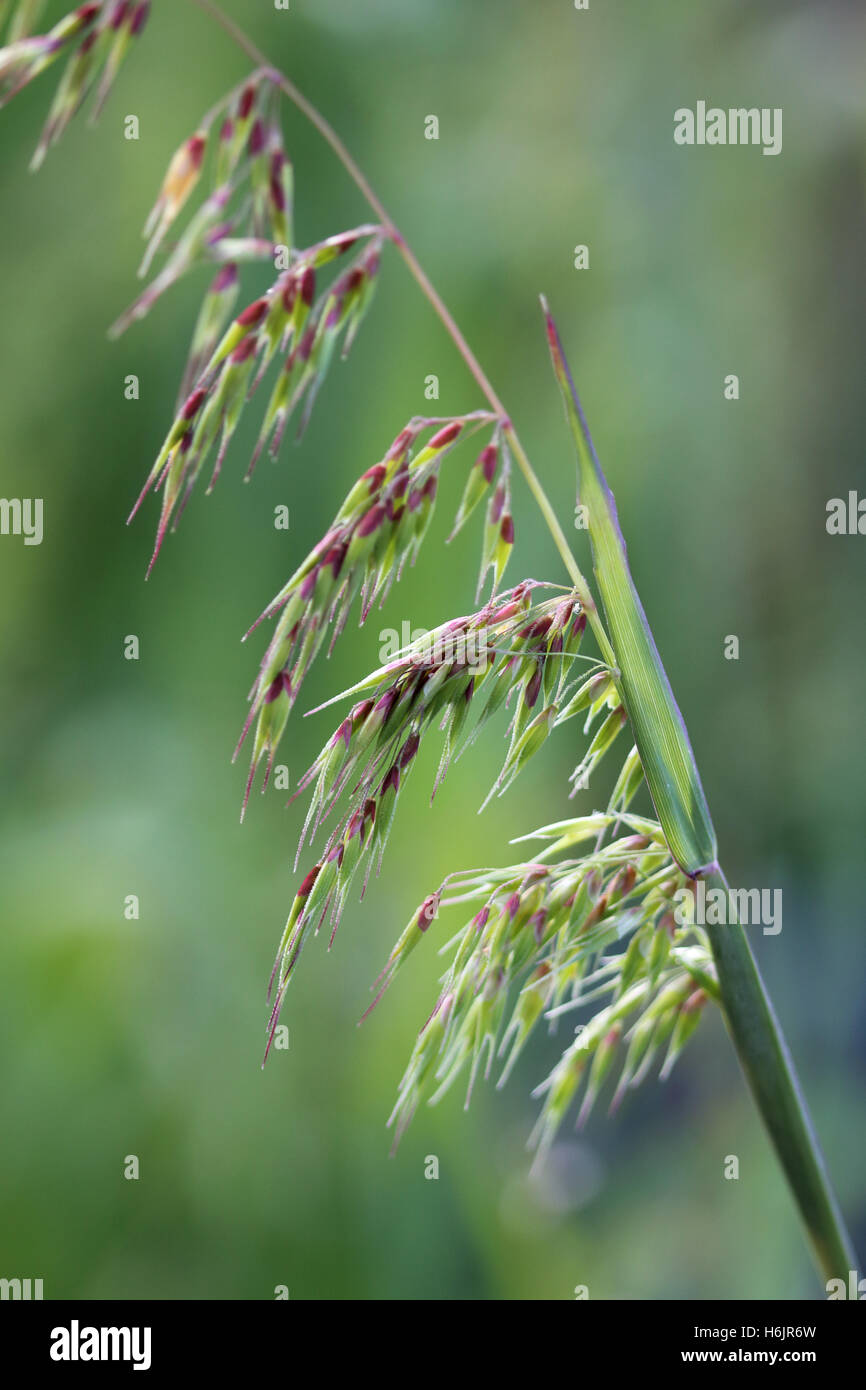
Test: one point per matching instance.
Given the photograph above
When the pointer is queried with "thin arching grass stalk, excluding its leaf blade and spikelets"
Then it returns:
(746, 1003)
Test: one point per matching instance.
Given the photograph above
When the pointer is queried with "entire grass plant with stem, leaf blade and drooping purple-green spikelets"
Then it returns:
(590, 922)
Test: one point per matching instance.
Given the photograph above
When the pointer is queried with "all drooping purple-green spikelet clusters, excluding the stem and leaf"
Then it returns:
(546, 924)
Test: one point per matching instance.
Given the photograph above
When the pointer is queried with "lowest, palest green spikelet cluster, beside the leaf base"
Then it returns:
(546, 943)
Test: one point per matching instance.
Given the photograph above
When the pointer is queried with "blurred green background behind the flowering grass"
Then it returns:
(145, 1038)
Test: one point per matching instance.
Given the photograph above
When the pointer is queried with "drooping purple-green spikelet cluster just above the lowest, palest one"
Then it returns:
(518, 654)
